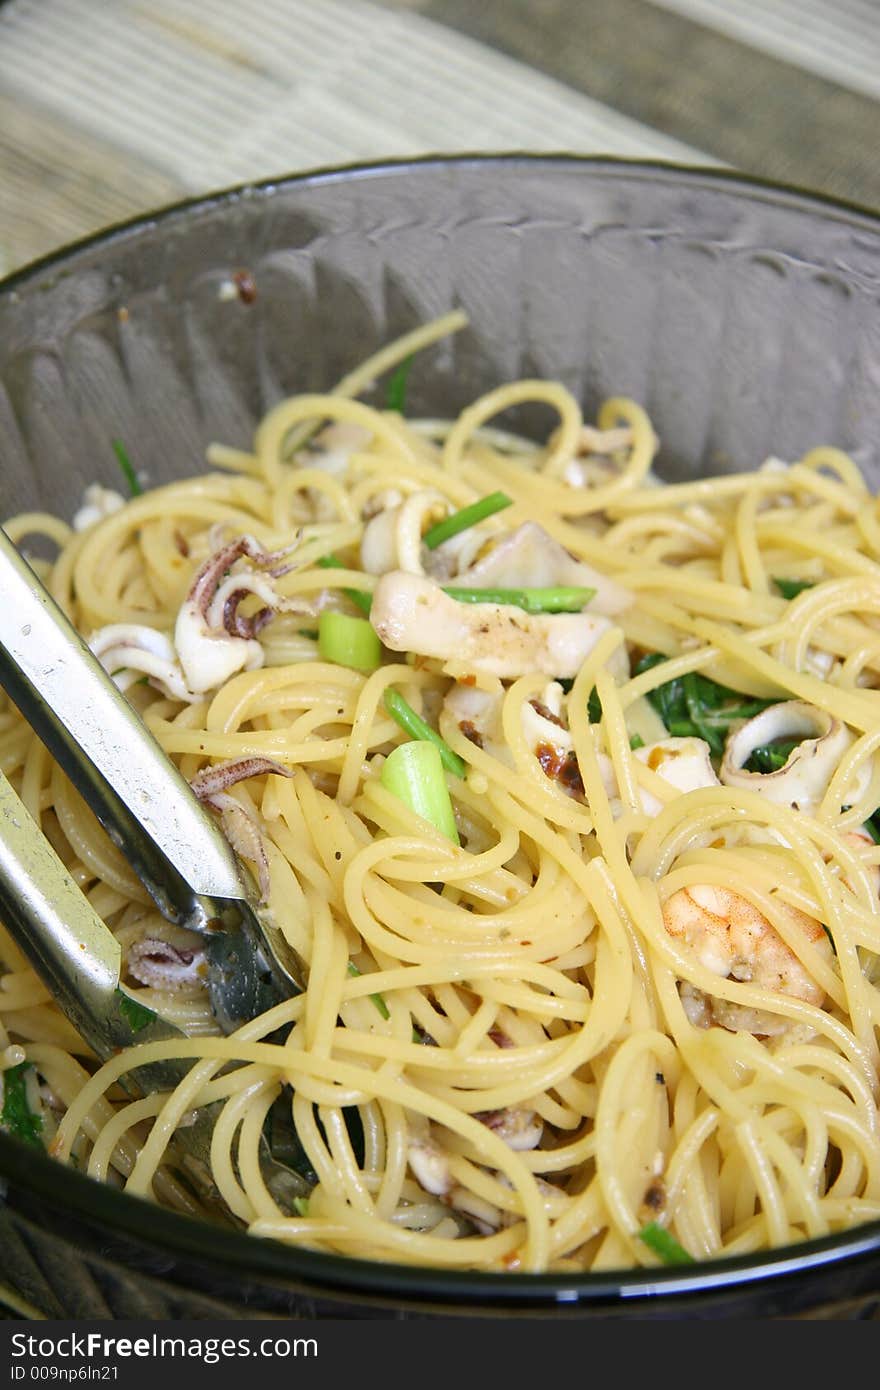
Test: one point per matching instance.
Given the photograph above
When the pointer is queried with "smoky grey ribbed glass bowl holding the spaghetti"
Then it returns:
(743, 316)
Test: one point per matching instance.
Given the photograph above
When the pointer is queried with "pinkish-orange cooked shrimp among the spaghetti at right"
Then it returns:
(732, 939)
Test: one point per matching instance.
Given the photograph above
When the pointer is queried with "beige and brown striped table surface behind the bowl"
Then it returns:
(108, 112)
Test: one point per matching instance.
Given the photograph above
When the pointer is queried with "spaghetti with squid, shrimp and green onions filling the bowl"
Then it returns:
(561, 782)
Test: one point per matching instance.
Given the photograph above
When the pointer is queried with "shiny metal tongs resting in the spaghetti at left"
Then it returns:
(155, 819)
